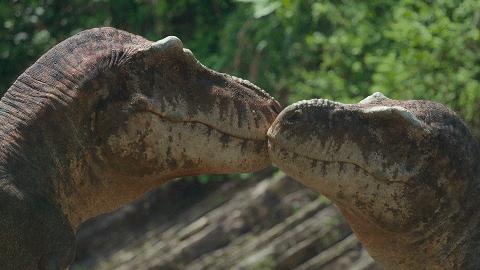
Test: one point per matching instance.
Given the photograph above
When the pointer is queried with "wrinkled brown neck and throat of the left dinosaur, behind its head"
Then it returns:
(46, 144)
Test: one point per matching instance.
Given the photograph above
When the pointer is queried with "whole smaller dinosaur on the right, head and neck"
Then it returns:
(404, 173)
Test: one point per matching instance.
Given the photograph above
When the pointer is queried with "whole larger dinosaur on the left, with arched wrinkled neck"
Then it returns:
(104, 117)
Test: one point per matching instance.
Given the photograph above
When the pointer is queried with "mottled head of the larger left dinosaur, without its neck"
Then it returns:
(167, 114)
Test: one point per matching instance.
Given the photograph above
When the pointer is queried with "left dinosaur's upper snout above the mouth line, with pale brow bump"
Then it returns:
(180, 88)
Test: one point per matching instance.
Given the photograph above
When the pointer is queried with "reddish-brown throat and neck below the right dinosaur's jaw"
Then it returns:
(449, 242)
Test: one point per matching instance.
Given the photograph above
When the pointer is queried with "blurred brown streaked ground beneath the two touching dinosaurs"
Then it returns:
(267, 222)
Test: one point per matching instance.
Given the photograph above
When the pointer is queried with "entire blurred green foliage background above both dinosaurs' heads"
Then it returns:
(297, 49)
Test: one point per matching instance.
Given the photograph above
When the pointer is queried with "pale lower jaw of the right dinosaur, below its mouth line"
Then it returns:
(347, 184)
